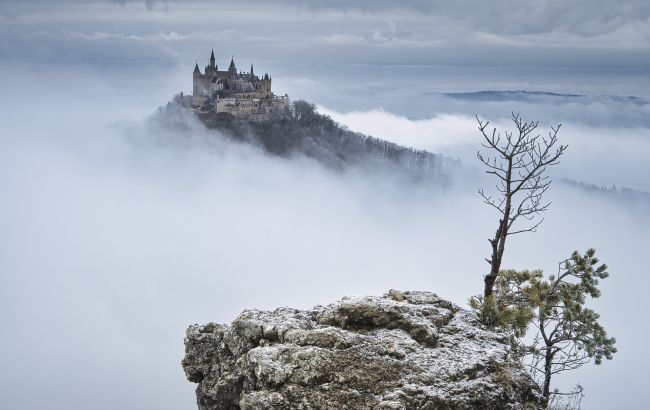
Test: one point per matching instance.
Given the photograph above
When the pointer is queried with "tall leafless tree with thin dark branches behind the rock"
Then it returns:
(519, 161)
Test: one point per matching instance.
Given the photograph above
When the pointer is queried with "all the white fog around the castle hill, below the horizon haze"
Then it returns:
(118, 232)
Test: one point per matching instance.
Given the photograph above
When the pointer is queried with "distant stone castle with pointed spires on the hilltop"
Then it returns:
(242, 94)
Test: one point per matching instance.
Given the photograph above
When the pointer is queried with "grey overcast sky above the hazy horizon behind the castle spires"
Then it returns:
(551, 33)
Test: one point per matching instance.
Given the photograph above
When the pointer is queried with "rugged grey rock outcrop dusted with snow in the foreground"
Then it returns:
(405, 350)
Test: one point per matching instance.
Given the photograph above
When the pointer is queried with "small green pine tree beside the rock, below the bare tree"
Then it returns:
(567, 335)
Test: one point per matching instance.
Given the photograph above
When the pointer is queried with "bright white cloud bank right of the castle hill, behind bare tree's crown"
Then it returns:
(604, 154)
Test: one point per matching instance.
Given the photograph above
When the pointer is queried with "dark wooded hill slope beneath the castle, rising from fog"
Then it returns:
(301, 130)
